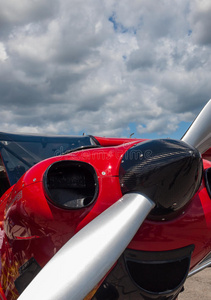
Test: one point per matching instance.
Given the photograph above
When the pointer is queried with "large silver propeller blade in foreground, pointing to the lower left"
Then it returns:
(85, 259)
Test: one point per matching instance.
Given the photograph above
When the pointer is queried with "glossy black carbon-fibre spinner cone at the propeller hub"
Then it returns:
(167, 171)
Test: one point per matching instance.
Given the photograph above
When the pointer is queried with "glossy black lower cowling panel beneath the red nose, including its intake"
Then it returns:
(147, 275)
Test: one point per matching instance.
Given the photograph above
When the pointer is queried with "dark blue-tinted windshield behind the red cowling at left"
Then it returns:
(21, 152)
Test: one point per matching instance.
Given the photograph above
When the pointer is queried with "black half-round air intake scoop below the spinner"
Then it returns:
(159, 273)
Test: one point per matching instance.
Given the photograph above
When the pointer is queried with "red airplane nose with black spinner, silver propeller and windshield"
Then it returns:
(104, 218)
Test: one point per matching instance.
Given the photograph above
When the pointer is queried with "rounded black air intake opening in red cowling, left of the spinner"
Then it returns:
(71, 184)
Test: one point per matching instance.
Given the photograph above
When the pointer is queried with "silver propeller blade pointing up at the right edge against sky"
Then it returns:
(199, 133)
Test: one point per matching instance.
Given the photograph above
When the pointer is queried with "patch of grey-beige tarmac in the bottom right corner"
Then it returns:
(198, 287)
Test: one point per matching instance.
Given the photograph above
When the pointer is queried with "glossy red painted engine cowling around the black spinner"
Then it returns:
(36, 228)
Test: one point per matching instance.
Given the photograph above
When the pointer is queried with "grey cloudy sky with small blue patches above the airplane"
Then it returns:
(104, 67)
